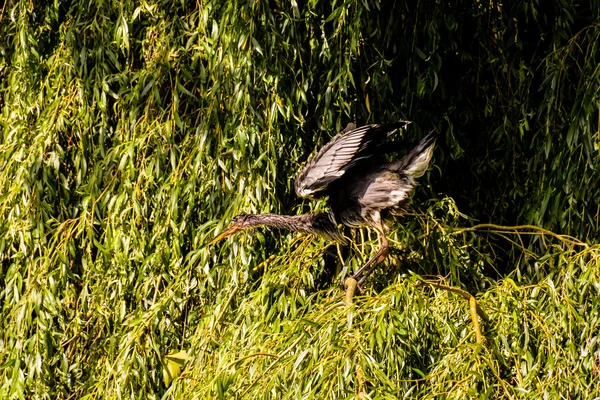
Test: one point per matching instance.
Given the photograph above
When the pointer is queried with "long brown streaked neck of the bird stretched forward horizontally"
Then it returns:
(322, 224)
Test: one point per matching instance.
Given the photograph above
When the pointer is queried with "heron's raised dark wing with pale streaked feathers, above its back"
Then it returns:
(340, 154)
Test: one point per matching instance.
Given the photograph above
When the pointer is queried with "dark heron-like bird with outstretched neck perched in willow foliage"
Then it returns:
(364, 189)
